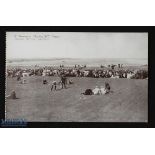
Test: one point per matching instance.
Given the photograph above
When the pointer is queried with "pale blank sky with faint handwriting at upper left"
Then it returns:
(76, 45)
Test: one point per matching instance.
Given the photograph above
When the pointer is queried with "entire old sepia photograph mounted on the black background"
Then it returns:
(77, 76)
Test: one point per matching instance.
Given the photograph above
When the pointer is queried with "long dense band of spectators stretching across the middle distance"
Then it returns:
(112, 71)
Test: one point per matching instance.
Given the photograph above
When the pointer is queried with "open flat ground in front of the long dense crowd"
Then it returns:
(127, 103)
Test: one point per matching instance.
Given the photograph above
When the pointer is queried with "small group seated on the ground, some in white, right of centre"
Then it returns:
(98, 90)
